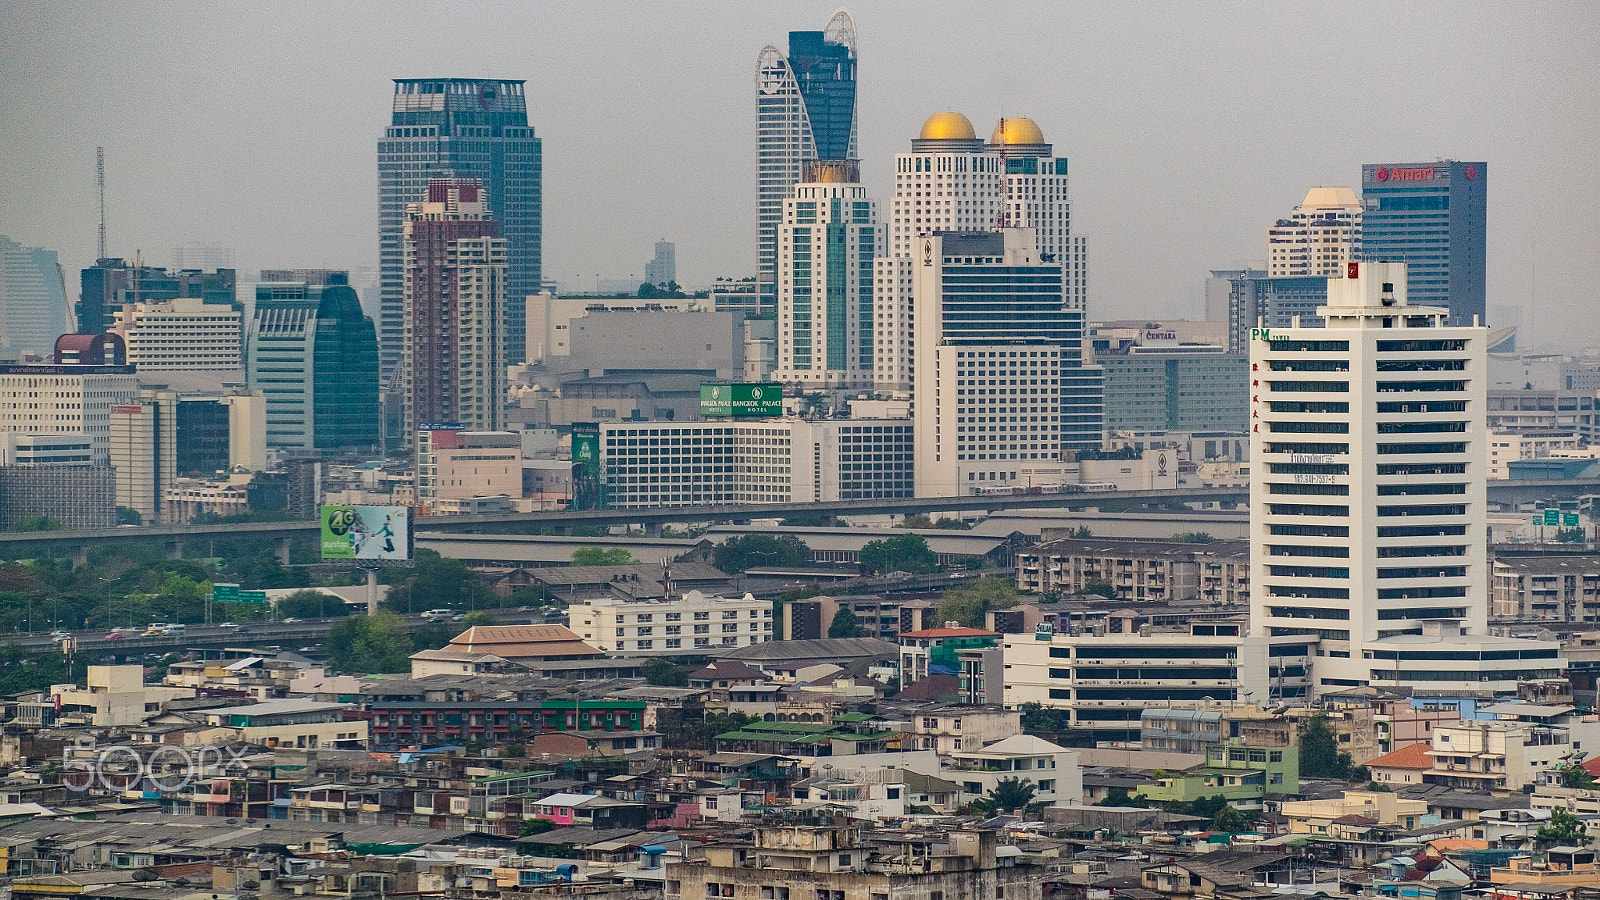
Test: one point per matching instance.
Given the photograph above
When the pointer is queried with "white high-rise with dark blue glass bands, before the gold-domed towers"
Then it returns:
(1001, 384)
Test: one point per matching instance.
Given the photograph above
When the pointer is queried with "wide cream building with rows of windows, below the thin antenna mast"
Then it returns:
(182, 335)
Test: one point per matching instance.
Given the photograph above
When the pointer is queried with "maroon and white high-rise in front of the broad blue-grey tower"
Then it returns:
(454, 369)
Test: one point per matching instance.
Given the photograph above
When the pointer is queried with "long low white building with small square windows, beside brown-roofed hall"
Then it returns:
(673, 625)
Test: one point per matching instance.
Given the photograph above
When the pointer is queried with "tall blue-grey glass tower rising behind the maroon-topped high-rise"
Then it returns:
(460, 129)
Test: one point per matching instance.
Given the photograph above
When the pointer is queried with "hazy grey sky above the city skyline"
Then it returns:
(1191, 126)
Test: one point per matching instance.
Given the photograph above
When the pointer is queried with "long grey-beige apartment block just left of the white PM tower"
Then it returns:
(1138, 571)
